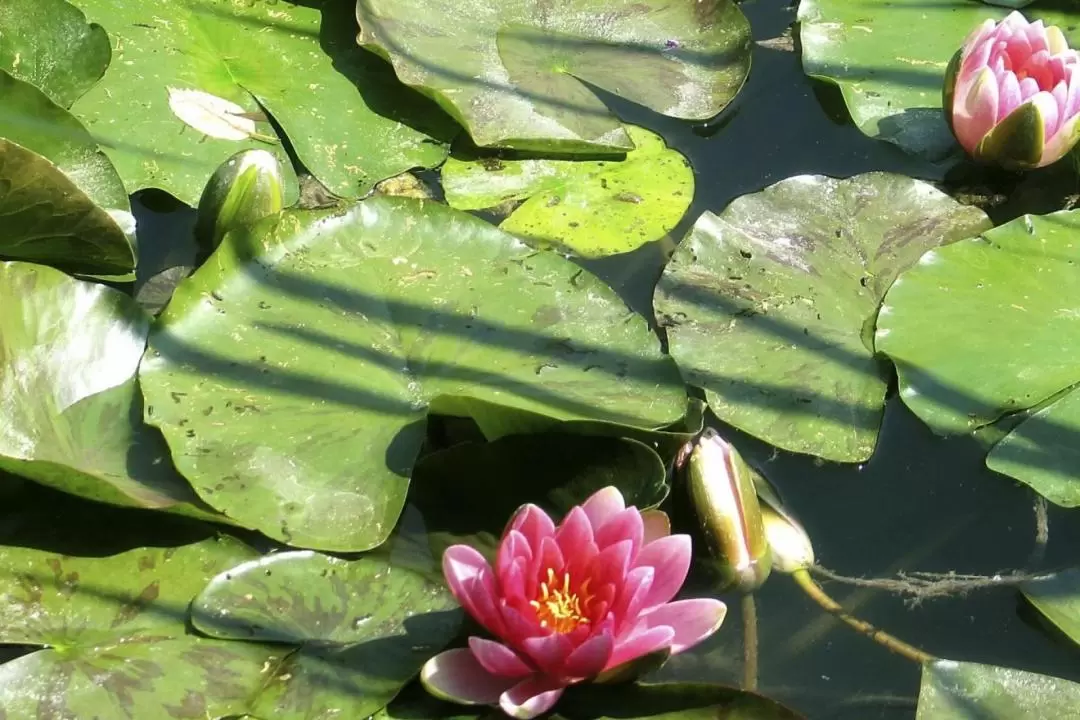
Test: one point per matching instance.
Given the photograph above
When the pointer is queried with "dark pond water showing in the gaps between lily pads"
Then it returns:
(922, 504)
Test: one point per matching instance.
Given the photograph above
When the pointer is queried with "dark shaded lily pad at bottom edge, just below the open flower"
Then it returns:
(671, 701)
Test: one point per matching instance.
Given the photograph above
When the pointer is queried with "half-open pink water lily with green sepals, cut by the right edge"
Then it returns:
(1012, 94)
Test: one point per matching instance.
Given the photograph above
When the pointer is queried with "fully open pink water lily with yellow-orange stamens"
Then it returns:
(566, 604)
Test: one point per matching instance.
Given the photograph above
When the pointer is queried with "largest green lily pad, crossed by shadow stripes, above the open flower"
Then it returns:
(291, 375)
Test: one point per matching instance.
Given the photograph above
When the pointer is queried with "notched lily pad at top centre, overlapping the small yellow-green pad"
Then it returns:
(516, 73)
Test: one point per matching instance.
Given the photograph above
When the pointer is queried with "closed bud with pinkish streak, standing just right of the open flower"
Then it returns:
(722, 488)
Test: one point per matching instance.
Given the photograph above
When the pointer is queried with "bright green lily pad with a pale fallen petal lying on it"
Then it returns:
(340, 106)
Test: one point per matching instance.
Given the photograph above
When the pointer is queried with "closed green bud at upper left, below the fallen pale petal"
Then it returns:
(247, 188)
